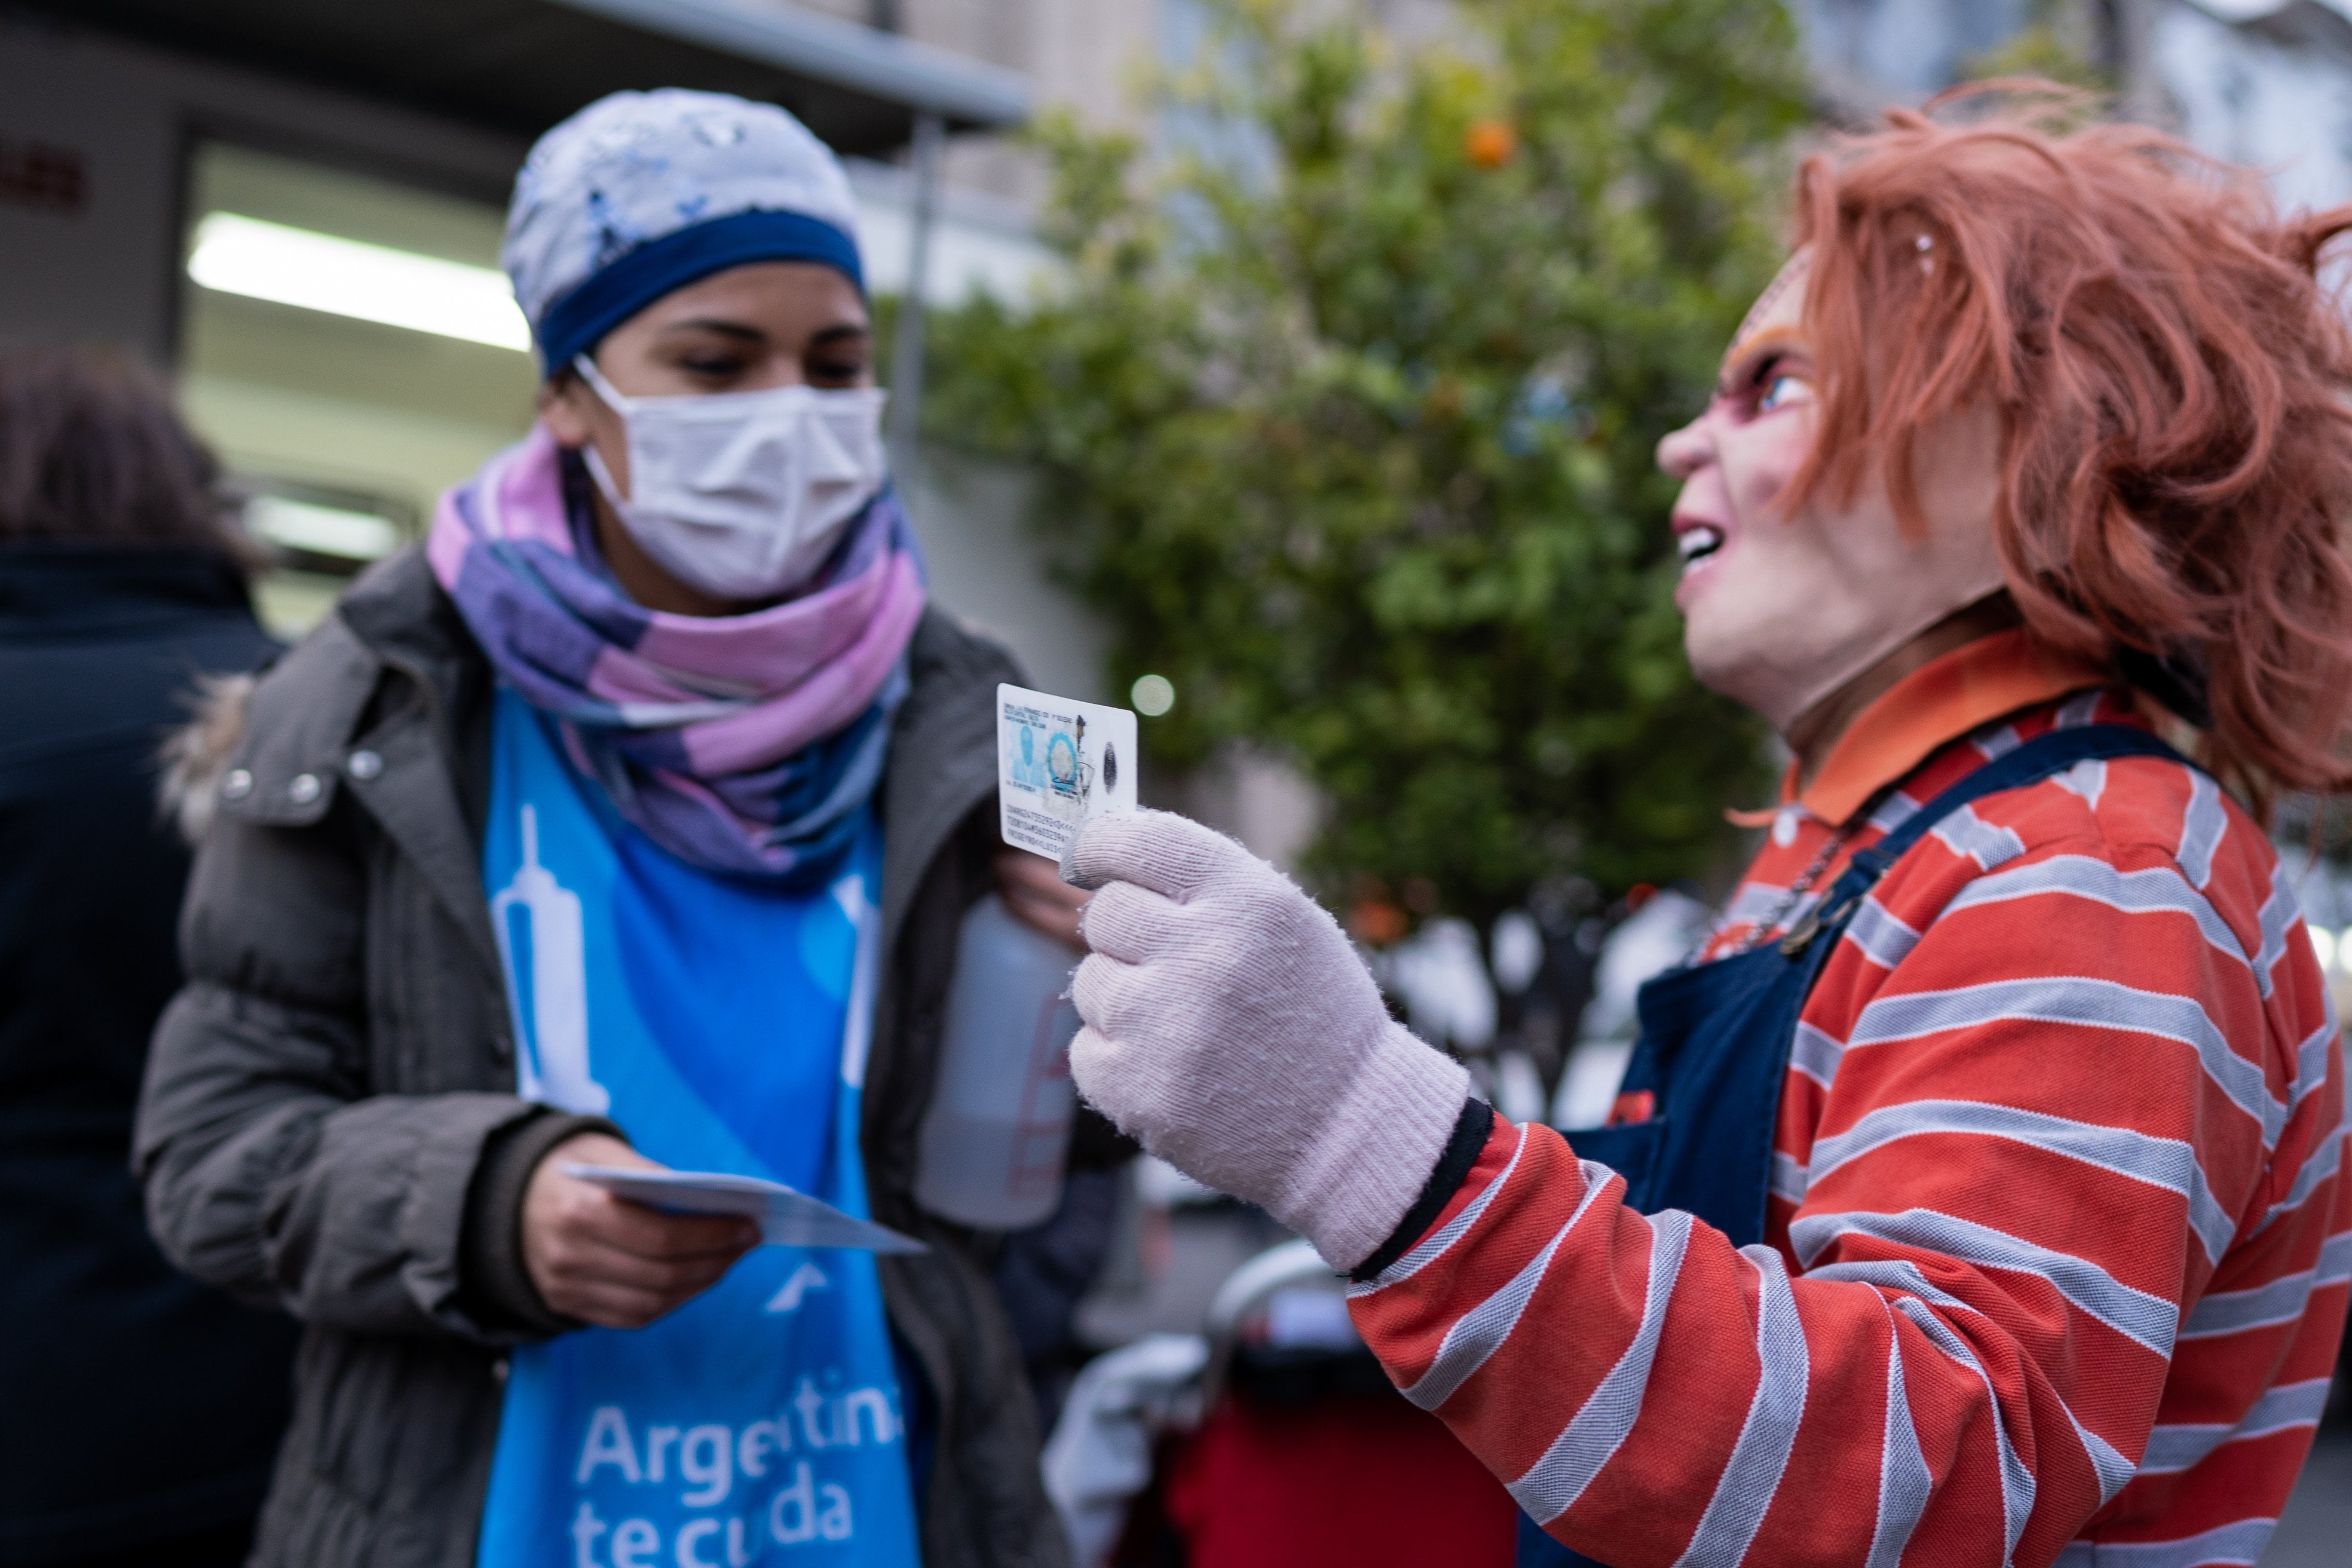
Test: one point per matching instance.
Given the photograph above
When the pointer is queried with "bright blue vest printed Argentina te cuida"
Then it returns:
(726, 1028)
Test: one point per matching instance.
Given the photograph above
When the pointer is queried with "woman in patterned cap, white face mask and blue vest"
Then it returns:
(627, 822)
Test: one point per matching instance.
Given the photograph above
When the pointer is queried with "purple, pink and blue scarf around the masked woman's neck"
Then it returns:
(742, 744)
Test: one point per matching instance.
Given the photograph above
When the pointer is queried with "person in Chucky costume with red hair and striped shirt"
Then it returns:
(1979, 1195)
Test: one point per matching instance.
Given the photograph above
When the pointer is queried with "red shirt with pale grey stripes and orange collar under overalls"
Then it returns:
(2059, 1245)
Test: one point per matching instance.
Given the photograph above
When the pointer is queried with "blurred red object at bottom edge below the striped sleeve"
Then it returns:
(1344, 1482)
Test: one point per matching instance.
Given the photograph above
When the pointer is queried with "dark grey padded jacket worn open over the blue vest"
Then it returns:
(330, 1118)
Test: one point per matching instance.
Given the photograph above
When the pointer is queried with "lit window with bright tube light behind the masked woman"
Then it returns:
(352, 351)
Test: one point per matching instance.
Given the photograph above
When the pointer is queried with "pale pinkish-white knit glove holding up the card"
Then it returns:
(1238, 1036)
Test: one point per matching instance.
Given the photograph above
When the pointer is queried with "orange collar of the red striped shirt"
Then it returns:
(1932, 706)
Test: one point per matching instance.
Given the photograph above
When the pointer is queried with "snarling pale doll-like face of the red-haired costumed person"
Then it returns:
(1786, 608)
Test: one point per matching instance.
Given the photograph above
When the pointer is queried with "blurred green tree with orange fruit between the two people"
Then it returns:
(1347, 417)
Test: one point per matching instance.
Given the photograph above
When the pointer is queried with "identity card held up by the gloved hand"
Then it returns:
(1060, 765)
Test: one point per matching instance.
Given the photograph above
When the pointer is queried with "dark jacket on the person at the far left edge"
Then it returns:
(138, 1407)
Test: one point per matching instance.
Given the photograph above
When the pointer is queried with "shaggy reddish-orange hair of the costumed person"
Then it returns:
(2174, 391)
